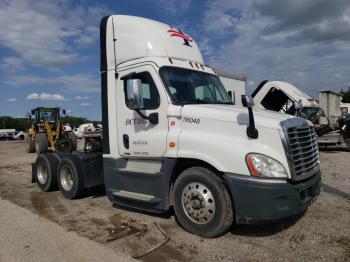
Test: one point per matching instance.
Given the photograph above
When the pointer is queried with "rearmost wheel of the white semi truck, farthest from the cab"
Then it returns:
(45, 173)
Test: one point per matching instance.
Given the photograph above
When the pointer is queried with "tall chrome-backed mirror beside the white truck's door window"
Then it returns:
(134, 94)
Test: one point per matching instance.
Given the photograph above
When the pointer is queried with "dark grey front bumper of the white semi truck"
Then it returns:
(255, 201)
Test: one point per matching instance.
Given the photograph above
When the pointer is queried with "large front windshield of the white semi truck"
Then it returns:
(192, 87)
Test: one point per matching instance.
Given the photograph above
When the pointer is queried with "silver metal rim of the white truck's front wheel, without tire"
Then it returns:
(198, 203)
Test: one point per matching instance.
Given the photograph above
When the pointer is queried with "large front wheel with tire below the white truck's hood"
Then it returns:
(201, 202)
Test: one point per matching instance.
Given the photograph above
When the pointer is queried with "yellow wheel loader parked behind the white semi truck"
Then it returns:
(47, 131)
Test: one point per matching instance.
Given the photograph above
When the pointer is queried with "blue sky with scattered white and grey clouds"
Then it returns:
(49, 50)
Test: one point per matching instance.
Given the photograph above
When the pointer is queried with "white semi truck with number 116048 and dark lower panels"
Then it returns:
(173, 139)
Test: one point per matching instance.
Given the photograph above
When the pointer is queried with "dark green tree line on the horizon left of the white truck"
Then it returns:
(23, 124)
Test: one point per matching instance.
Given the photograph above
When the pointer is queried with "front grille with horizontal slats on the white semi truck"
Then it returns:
(301, 148)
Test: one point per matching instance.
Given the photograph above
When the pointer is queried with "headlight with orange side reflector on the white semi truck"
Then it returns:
(264, 166)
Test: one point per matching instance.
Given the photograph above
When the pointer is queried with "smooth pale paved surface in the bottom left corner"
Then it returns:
(26, 236)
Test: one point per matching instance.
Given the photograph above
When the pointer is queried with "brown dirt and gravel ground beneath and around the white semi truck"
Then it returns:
(322, 233)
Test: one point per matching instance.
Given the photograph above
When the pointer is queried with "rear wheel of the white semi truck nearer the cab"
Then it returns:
(71, 178)
